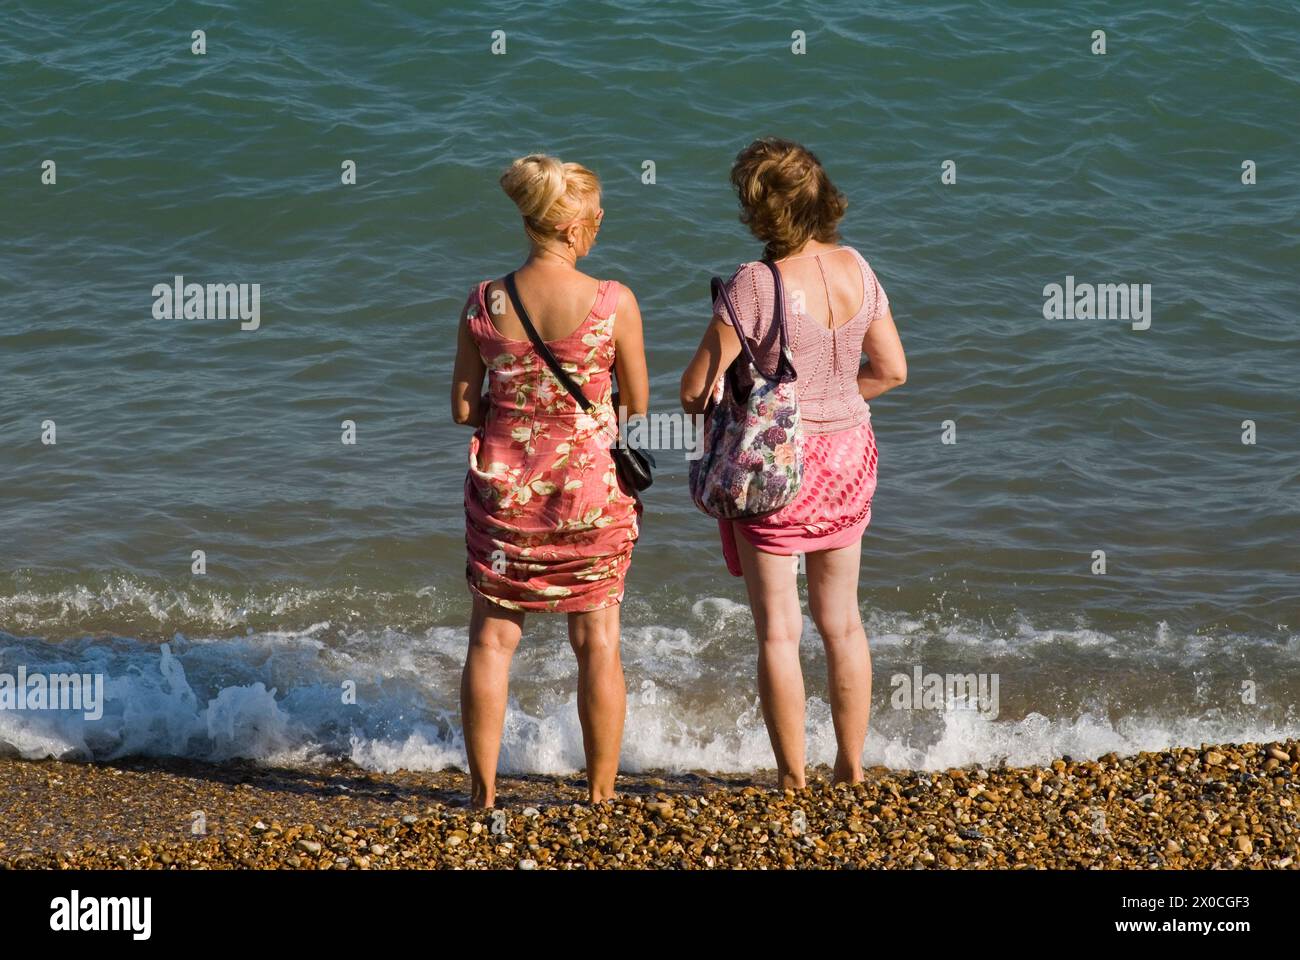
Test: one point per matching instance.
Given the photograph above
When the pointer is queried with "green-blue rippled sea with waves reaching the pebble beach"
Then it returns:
(330, 564)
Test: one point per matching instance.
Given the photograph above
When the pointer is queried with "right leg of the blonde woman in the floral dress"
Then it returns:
(603, 695)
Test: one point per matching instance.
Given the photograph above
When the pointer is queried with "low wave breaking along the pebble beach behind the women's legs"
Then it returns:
(388, 699)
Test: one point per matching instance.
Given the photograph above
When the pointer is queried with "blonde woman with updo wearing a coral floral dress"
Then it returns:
(549, 525)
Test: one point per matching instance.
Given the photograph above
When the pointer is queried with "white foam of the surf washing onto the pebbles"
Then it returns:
(279, 698)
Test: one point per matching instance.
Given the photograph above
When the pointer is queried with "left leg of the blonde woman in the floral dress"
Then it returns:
(484, 690)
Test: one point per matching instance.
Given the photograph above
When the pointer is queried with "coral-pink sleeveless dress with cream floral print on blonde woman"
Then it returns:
(549, 526)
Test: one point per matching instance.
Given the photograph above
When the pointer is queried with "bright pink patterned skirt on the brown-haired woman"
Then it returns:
(833, 508)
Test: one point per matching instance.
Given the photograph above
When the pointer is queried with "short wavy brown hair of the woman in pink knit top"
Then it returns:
(786, 196)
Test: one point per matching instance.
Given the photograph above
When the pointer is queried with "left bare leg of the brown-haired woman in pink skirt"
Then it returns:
(775, 602)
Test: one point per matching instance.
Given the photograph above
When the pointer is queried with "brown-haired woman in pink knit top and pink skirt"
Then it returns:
(837, 312)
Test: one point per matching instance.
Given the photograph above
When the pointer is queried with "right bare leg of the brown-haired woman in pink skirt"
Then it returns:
(834, 604)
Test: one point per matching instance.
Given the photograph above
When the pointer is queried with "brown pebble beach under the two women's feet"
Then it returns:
(1215, 807)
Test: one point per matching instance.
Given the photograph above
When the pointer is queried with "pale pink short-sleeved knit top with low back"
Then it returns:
(826, 360)
